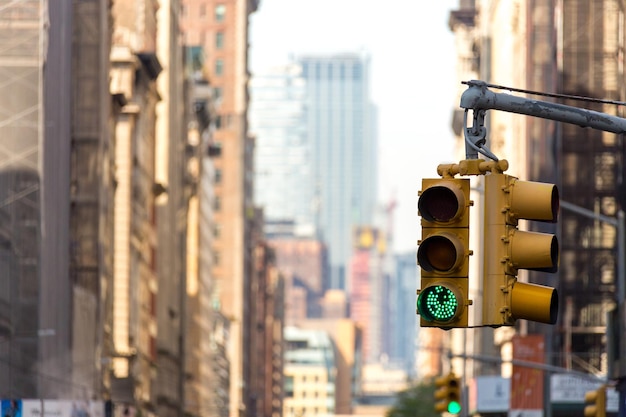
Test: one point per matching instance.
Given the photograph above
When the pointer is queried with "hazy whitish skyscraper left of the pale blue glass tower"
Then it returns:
(282, 158)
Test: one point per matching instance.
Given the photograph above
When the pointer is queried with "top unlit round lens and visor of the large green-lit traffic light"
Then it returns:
(441, 203)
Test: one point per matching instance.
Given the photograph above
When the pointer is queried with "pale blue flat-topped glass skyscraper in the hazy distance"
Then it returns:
(341, 130)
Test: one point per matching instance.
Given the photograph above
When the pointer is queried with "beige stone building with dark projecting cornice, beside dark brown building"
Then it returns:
(134, 70)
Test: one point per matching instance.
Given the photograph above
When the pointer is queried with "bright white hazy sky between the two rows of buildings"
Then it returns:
(413, 80)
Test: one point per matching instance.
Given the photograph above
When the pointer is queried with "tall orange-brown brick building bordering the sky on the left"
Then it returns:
(221, 29)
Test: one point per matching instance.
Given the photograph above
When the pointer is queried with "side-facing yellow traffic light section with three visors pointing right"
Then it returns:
(508, 249)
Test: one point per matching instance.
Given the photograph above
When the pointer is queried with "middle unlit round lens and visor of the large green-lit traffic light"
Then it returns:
(441, 252)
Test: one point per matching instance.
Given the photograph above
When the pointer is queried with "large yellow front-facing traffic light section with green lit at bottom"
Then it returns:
(443, 253)
